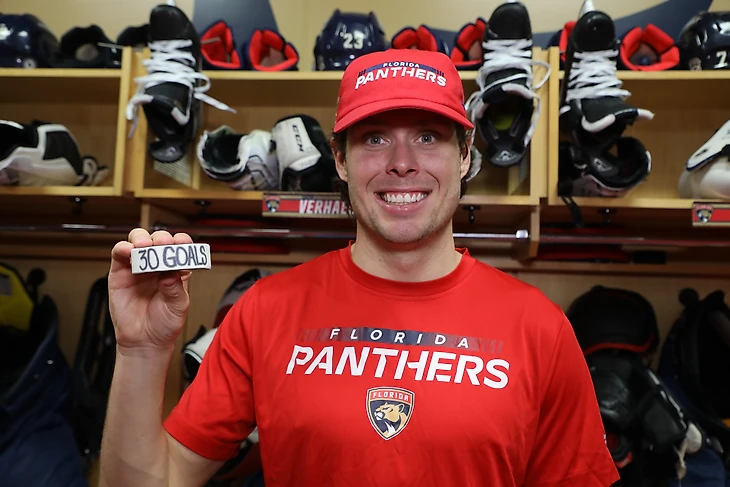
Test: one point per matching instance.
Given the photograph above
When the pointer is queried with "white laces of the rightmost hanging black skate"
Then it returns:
(593, 75)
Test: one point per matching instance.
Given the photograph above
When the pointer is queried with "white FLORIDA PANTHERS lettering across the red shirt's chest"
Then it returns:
(398, 363)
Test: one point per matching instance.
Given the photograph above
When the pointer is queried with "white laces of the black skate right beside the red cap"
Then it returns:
(501, 54)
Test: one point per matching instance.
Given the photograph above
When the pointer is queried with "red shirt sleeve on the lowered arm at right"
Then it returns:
(570, 446)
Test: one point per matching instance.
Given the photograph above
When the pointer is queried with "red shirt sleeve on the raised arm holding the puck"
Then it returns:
(216, 412)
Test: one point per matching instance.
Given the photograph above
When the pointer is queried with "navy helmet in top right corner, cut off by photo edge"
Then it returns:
(704, 41)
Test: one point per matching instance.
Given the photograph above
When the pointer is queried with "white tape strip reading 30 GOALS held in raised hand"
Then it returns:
(161, 258)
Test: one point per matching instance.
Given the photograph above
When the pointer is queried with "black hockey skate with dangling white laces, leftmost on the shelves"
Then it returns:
(171, 92)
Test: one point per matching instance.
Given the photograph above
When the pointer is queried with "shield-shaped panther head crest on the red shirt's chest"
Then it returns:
(389, 410)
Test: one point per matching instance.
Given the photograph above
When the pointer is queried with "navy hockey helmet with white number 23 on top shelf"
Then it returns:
(347, 36)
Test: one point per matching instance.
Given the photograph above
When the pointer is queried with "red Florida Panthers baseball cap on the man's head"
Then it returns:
(400, 78)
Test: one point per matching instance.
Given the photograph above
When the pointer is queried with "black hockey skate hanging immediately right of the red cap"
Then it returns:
(503, 110)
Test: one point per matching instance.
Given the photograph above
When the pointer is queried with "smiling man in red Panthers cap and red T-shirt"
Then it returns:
(398, 360)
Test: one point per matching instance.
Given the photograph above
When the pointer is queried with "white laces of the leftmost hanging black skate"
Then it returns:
(170, 63)
